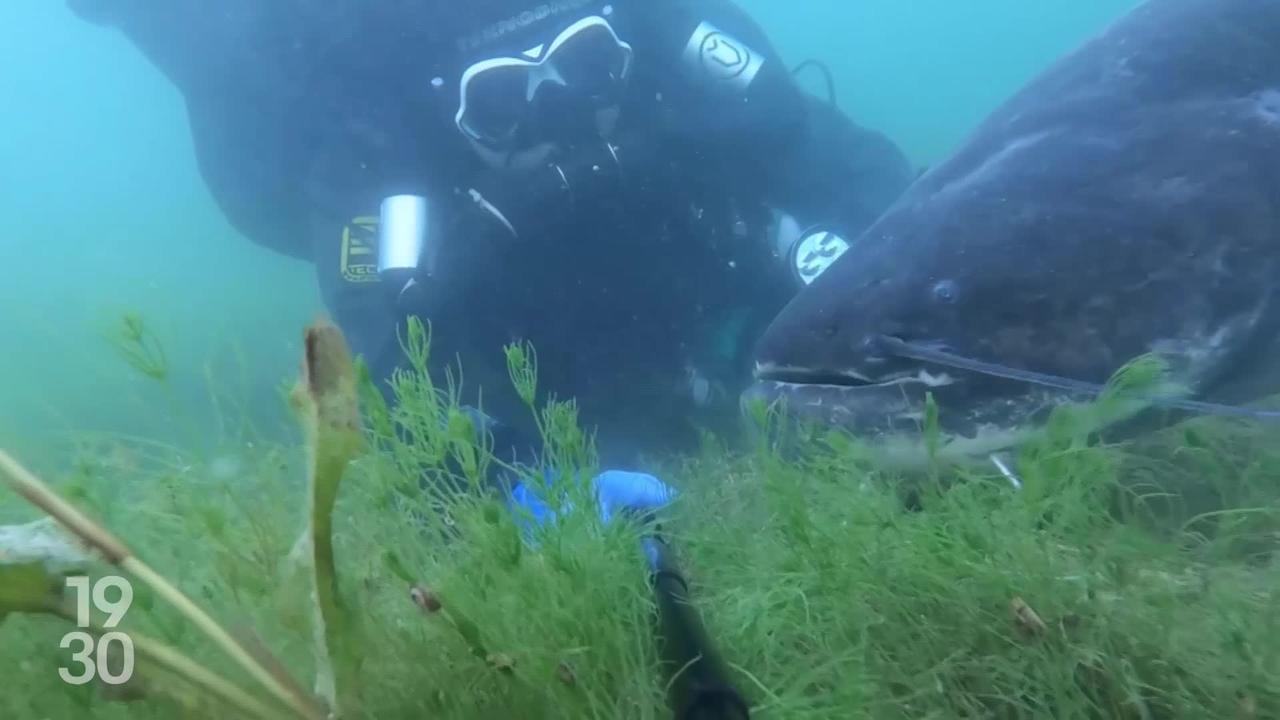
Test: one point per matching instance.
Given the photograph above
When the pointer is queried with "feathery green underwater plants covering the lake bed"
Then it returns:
(363, 572)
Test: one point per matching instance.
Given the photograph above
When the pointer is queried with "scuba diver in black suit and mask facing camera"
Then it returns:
(633, 186)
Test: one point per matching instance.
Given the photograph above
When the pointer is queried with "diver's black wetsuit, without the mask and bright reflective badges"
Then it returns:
(305, 115)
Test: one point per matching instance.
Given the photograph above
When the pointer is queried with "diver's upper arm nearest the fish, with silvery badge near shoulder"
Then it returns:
(734, 94)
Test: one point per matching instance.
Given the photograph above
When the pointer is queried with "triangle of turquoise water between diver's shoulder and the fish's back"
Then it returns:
(926, 72)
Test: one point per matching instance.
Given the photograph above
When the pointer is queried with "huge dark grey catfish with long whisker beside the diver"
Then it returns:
(1126, 202)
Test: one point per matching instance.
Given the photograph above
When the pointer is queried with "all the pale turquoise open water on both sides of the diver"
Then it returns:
(106, 212)
